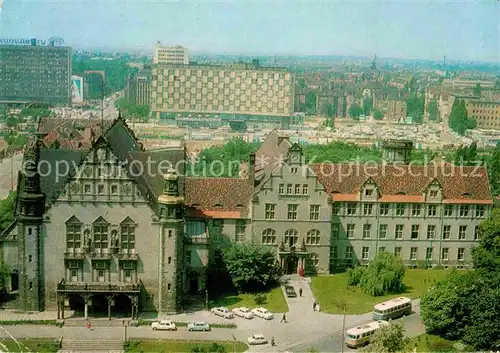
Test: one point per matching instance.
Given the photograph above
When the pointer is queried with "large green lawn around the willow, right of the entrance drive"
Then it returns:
(332, 291)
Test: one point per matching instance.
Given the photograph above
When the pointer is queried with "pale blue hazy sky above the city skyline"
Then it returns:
(468, 30)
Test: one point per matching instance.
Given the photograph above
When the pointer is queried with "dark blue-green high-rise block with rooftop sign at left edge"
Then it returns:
(35, 74)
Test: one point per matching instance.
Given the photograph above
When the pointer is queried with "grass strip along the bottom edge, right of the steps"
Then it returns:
(174, 346)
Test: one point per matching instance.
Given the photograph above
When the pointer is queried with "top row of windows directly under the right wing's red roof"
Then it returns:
(401, 209)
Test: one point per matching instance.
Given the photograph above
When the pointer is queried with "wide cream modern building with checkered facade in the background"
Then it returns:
(222, 90)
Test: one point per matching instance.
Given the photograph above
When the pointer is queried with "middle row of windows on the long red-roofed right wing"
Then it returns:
(383, 231)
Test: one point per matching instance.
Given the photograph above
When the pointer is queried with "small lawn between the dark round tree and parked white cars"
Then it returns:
(275, 302)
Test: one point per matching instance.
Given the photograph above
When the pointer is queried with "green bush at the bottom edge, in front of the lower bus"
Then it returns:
(389, 339)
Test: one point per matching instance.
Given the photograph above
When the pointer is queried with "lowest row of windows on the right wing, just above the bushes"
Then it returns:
(413, 255)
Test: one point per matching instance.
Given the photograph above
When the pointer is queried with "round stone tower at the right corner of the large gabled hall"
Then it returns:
(171, 246)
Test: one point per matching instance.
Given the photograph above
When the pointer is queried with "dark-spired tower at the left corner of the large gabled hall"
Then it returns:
(31, 207)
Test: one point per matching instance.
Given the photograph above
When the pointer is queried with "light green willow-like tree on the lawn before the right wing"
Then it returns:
(382, 276)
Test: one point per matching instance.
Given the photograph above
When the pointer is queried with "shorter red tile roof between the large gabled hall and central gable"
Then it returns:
(218, 197)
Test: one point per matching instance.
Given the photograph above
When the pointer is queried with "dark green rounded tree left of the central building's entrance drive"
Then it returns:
(252, 268)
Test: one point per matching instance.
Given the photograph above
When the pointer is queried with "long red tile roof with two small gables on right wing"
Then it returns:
(405, 183)
